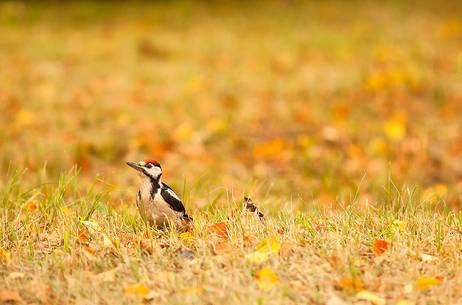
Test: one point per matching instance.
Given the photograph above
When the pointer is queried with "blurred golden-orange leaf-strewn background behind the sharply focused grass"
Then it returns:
(297, 102)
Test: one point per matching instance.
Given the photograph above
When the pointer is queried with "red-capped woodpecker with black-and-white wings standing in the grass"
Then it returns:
(157, 202)
